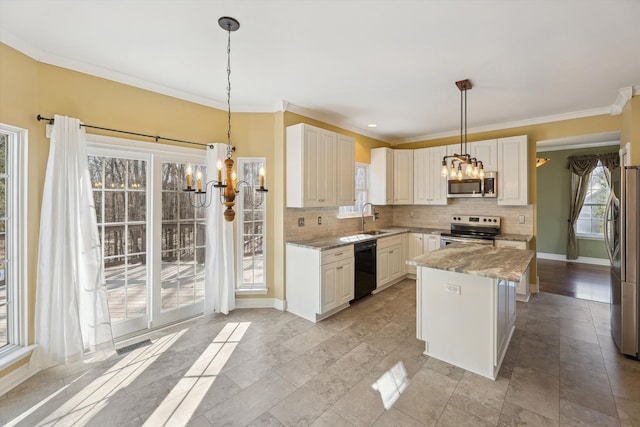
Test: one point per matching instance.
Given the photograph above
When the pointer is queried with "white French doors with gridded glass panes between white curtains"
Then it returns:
(153, 239)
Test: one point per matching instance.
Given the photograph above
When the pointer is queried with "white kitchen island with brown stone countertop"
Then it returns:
(466, 303)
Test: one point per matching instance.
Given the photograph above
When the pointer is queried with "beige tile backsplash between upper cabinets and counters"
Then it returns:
(407, 216)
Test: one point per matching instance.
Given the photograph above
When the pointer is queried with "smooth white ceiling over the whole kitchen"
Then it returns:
(351, 62)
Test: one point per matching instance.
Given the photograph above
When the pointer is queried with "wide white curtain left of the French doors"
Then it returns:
(72, 314)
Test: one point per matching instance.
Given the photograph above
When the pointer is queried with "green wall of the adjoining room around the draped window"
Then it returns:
(553, 193)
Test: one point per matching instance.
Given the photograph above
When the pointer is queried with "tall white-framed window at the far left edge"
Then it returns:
(13, 275)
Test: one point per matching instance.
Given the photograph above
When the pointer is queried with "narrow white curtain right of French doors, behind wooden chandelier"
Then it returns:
(219, 277)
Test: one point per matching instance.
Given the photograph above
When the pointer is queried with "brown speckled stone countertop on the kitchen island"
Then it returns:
(478, 260)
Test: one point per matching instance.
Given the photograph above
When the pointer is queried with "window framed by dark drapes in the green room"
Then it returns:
(590, 223)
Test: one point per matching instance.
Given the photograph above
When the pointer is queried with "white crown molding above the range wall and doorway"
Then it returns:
(508, 125)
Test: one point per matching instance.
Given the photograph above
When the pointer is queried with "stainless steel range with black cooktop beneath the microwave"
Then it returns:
(478, 230)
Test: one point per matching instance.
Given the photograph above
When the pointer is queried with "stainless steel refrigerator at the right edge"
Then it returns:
(621, 238)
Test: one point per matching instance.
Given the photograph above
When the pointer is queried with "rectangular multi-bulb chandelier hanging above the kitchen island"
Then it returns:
(472, 166)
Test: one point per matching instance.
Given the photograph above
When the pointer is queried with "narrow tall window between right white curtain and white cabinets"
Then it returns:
(251, 227)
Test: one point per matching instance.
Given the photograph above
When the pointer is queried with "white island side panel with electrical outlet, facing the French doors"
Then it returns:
(458, 319)
